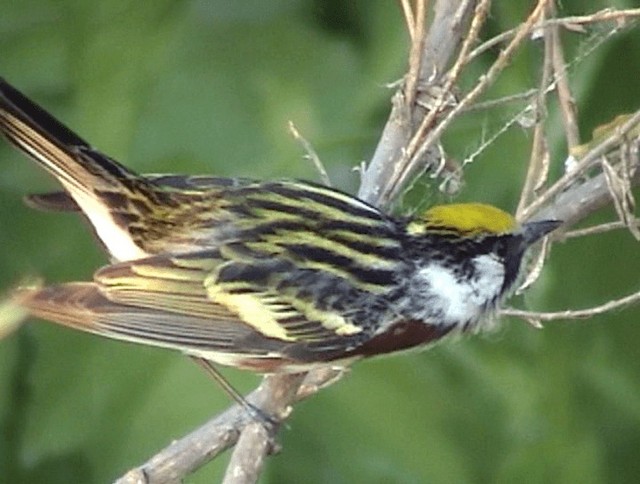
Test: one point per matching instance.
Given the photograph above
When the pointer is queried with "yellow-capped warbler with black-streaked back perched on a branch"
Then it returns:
(263, 275)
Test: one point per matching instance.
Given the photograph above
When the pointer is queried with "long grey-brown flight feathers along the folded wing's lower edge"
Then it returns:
(83, 306)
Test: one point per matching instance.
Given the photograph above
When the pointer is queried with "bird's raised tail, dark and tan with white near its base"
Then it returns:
(97, 185)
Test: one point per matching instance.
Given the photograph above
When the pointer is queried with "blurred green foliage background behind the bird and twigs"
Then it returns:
(208, 87)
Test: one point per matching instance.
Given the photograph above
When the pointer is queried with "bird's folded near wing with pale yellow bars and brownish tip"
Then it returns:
(178, 301)
